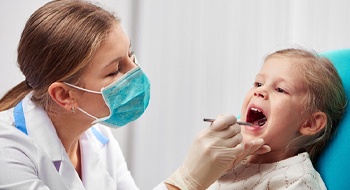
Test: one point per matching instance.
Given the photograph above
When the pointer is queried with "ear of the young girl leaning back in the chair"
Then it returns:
(314, 124)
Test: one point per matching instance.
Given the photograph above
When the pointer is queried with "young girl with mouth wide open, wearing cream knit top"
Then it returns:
(295, 104)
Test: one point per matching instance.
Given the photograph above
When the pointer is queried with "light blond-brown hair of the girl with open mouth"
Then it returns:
(325, 93)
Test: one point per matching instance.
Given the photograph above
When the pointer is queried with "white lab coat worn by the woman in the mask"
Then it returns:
(39, 161)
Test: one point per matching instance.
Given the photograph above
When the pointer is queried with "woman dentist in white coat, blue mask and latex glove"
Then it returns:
(81, 79)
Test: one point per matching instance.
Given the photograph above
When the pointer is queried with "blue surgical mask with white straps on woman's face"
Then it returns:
(126, 98)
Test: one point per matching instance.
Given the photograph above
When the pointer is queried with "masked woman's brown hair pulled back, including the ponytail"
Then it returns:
(57, 43)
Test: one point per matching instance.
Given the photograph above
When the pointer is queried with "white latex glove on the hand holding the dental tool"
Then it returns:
(215, 150)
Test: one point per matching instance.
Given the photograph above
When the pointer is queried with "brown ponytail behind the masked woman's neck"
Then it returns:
(14, 96)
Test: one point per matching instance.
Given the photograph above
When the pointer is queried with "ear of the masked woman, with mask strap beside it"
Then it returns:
(62, 95)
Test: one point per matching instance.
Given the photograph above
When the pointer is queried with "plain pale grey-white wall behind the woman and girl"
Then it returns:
(201, 57)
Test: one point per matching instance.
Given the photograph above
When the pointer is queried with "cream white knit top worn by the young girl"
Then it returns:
(293, 173)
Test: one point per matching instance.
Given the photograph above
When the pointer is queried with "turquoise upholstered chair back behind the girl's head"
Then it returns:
(334, 165)
